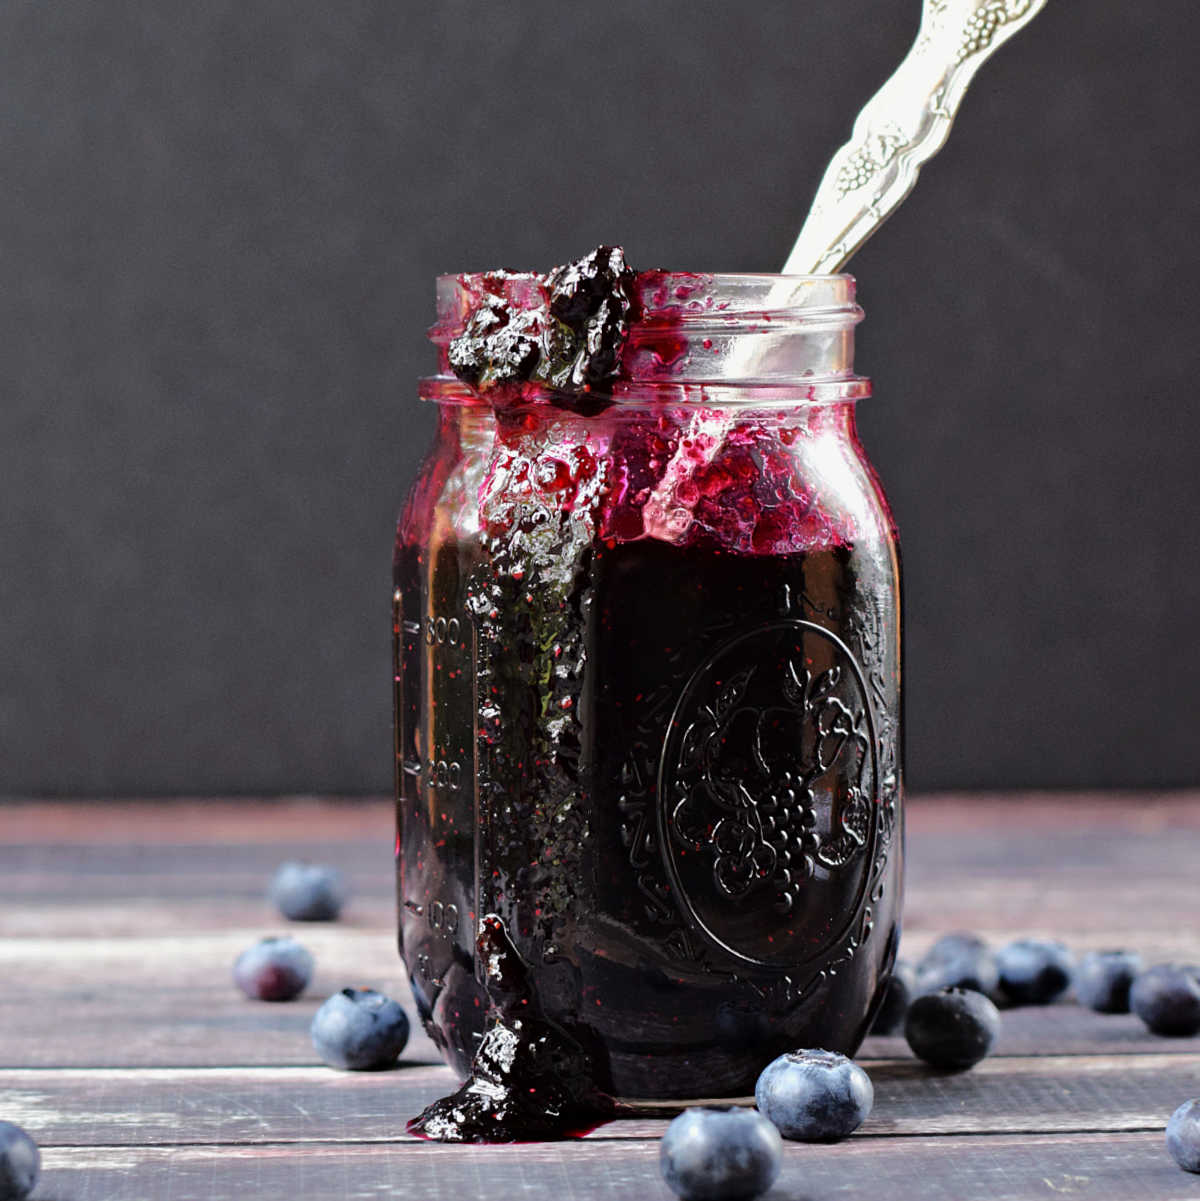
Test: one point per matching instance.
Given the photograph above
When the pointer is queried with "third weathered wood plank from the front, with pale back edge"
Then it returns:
(170, 1002)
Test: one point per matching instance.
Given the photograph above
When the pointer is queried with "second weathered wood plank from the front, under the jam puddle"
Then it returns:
(238, 1106)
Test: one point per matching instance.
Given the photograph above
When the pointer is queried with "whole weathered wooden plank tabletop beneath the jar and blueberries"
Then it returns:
(144, 1074)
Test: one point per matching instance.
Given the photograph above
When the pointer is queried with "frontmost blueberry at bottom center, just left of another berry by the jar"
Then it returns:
(720, 1154)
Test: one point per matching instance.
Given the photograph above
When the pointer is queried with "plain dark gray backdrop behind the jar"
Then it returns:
(219, 230)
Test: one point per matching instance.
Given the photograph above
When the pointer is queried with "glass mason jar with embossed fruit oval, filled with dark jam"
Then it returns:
(648, 695)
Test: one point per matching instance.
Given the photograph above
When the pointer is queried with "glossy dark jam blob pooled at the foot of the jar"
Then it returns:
(530, 1082)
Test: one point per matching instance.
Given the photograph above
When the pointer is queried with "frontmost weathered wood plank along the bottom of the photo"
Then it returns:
(1097, 1167)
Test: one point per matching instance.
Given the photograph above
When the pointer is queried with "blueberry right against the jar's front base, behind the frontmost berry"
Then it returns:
(815, 1096)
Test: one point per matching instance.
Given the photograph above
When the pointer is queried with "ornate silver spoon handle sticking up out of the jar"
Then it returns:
(904, 126)
